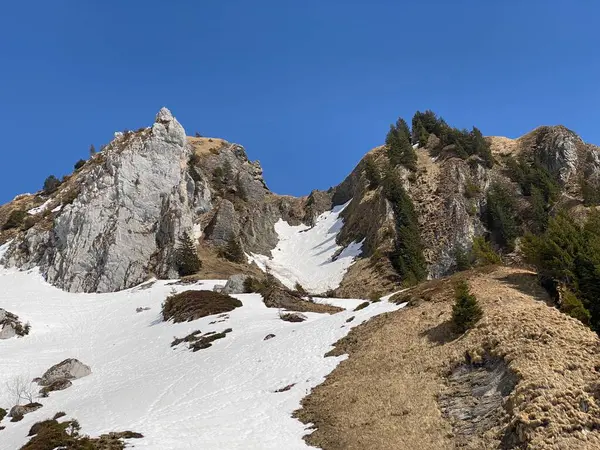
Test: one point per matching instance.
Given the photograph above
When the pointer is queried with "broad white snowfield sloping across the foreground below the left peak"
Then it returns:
(218, 398)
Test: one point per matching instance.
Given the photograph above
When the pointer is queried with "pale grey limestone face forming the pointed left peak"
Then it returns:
(132, 207)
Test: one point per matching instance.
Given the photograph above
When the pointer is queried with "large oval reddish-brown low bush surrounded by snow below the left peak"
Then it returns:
(192, 305)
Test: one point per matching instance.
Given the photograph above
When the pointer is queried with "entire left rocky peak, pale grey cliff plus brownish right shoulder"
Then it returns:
(117, 221)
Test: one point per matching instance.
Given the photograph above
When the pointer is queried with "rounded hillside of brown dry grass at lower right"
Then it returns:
(385, 395)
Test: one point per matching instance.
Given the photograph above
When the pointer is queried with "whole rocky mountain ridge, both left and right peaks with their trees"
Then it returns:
(429, 202)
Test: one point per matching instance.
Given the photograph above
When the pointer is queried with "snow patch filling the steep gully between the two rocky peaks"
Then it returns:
(309, 255)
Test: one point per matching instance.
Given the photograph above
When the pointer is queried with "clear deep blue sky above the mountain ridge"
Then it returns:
(307, 86)
